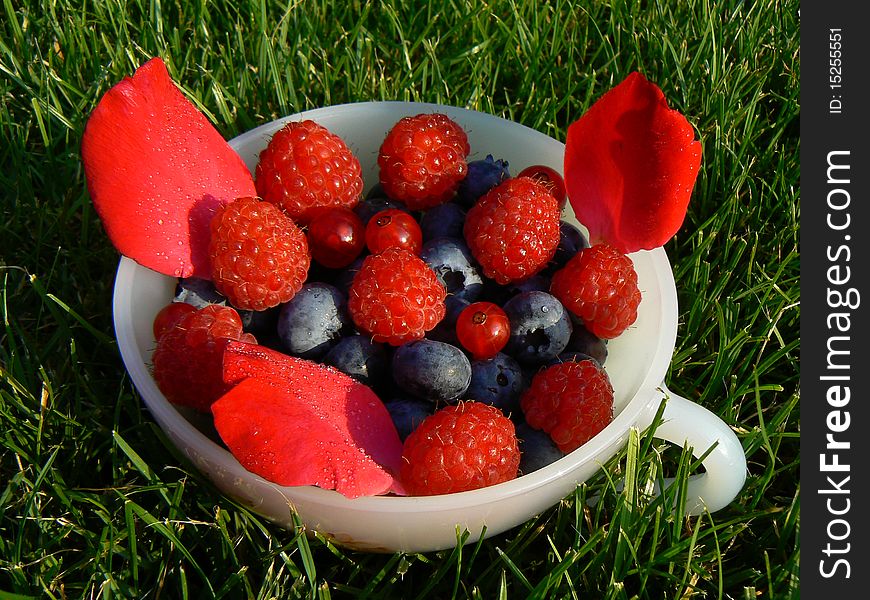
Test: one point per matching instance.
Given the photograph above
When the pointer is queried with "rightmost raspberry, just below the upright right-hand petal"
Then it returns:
(599, 285)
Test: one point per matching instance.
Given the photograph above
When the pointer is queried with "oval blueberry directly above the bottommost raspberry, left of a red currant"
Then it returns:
(431, 370)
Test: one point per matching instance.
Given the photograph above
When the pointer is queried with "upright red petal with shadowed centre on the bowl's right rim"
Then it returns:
(630, 166)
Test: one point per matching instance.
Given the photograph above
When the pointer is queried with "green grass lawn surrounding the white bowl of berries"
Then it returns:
(94, 502)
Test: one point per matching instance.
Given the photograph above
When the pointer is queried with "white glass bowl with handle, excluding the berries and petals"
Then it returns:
(637, 363)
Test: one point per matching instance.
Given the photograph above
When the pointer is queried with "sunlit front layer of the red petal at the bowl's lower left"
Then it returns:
(276, 432)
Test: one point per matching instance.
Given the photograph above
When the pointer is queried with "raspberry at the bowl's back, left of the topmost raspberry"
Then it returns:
(306, 166)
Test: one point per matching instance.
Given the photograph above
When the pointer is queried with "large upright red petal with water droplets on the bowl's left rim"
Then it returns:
(156, 171)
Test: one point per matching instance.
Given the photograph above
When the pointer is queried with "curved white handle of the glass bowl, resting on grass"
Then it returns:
(687, 423)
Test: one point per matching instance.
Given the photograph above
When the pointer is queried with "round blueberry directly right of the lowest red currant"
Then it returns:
(540, 327)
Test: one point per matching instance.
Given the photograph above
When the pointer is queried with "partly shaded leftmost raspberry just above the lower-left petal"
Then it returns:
(187, 363)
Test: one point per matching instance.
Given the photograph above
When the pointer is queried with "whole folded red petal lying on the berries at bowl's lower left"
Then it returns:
(304, 423)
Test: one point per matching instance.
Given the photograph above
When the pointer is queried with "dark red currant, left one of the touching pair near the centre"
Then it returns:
(336, 236)
